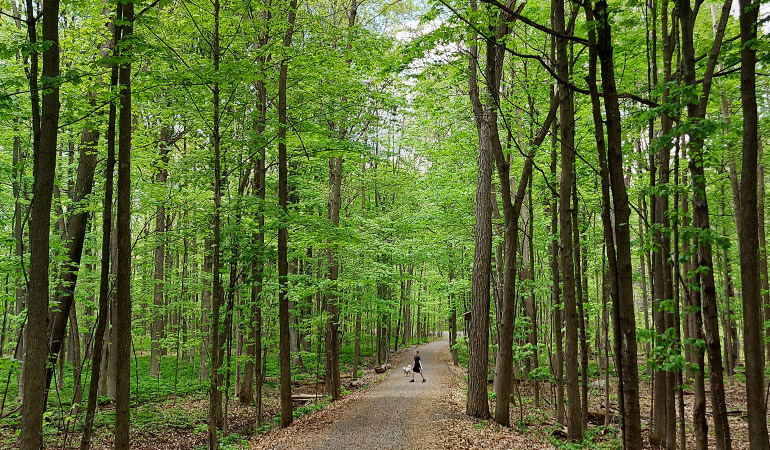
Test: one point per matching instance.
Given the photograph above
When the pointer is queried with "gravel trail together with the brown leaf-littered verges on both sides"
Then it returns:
(398, 414)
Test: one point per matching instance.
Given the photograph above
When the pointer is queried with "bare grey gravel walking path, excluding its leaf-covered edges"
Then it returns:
(394, 413)
